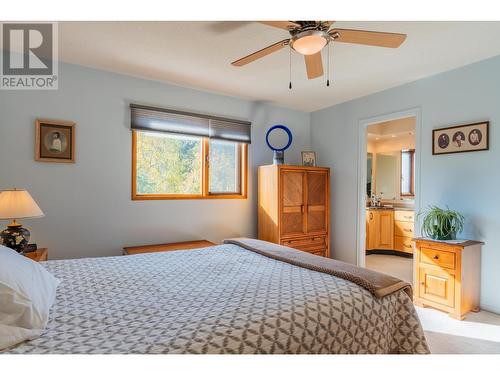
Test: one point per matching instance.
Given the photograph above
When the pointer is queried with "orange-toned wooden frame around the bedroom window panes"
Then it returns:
(205, 164)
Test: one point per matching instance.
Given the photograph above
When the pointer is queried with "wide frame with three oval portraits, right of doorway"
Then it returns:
(461, 138)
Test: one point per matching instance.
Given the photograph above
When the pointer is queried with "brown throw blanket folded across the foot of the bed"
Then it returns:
(376, 283)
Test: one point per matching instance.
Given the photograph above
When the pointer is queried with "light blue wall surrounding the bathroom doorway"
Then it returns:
(467, 182)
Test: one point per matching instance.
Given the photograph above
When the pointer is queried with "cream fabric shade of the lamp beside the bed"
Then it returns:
(18, 204)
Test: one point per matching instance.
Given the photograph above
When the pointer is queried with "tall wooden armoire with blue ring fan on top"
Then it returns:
(294, 207)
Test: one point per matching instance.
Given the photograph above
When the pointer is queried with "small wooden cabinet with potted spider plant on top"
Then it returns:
(447, 275)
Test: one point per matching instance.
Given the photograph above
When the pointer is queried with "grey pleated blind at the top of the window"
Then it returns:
(163, 120)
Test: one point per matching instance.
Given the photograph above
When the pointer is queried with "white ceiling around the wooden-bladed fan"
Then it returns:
(198, 54)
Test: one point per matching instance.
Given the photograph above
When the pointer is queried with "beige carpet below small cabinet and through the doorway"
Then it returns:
(479, 333)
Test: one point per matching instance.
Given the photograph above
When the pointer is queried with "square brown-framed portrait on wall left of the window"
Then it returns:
(54, 141)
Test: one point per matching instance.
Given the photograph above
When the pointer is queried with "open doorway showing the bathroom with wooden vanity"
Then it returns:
(388, 199)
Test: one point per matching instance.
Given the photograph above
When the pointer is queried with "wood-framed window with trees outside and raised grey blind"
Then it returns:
(174, 165)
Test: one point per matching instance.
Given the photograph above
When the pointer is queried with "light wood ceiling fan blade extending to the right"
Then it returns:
(370, 38)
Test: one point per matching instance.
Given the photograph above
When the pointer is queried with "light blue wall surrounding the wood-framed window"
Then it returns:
(88, 207)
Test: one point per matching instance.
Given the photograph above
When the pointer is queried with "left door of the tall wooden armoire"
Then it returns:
(292, 204)
